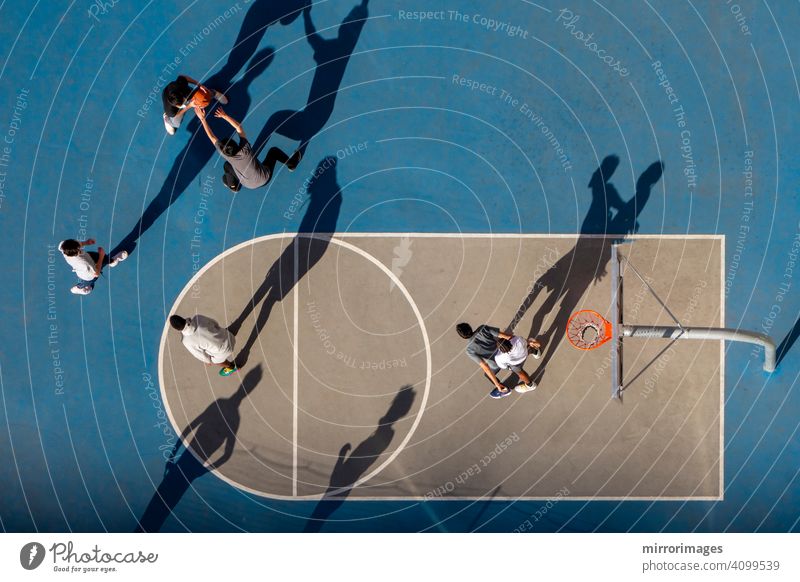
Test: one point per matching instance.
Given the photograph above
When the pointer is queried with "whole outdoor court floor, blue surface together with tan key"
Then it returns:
(467, 122)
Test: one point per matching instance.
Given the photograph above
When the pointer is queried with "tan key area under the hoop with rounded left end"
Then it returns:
(352, 340)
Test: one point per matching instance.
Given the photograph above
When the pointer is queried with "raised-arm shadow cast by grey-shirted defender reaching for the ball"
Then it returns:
(331, 56)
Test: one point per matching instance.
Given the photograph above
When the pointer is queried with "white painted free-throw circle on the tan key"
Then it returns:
(398, 283)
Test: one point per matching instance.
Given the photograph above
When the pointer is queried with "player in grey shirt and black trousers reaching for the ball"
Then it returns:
(242, 168)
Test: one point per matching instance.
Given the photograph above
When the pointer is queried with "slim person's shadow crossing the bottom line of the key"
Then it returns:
(349, 469)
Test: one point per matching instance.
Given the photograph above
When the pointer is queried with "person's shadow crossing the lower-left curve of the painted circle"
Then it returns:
(214, 429)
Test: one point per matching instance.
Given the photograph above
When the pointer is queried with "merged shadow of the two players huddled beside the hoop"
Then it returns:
(569, 278)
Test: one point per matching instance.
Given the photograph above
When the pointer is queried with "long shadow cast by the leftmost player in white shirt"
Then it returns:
(195, 154)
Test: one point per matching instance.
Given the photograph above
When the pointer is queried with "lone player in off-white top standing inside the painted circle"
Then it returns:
(207, 341)
